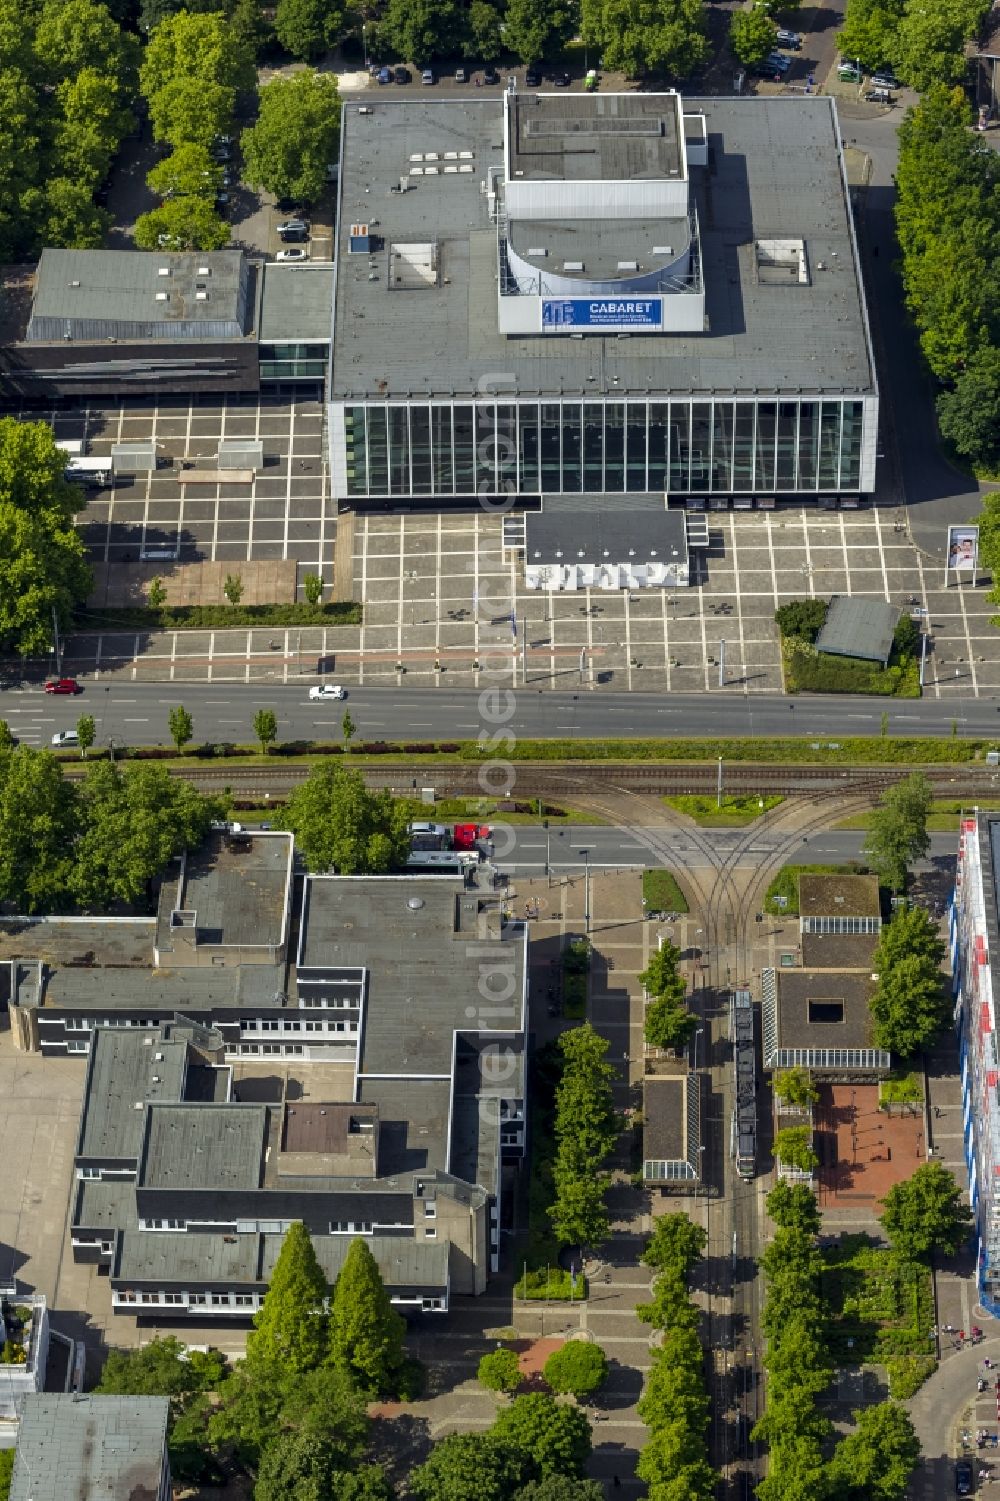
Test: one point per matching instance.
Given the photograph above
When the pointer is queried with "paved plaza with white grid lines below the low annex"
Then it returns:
(282, 514)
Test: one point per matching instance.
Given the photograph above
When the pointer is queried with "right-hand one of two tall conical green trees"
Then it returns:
(366, 1331)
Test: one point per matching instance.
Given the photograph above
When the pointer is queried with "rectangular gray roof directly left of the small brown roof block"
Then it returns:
(203, 1148)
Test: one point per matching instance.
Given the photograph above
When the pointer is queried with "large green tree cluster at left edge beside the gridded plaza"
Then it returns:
(43, 564)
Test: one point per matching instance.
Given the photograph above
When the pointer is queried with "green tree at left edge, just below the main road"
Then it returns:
(38, 820)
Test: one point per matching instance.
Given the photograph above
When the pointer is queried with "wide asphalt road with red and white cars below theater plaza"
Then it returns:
(136, 714)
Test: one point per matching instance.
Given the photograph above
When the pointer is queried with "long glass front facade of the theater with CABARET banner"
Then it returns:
(682, 447)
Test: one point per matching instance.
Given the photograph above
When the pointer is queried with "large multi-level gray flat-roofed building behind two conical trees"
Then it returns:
(190, 1170)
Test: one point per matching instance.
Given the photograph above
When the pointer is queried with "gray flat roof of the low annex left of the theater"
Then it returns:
(103, 295)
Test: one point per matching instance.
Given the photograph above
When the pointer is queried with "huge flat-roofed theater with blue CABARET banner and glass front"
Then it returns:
(598, 295)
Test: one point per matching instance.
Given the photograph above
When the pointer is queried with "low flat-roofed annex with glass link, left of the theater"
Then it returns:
(119, 323)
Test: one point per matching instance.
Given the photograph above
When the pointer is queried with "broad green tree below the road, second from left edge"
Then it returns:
(130, 823)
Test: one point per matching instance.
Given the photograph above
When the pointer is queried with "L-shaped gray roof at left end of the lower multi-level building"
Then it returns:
(125, 1071)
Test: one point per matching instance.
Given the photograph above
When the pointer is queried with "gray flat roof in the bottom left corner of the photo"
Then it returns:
(89, 1448)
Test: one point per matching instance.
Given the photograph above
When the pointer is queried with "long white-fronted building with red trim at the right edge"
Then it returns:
(975, 951)
